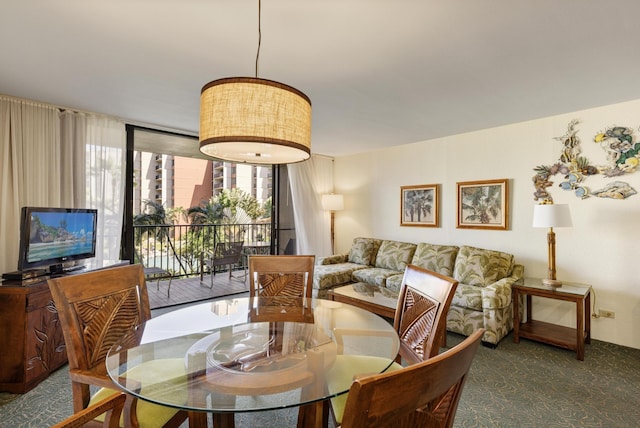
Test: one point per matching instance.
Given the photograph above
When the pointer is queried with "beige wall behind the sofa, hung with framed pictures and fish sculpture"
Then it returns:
(602, 248)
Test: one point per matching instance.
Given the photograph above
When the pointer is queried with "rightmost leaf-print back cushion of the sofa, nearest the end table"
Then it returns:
(480, 267)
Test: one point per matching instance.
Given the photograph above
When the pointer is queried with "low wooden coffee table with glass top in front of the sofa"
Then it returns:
(366, 297)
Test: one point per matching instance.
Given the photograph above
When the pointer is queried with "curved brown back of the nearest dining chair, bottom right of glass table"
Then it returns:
(422, 395)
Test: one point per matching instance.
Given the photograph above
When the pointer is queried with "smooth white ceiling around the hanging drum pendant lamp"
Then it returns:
(378, 72)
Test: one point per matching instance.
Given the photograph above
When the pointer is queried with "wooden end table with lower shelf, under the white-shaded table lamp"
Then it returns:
(552, 334)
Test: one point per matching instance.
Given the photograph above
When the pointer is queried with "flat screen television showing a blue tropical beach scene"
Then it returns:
(52, 237)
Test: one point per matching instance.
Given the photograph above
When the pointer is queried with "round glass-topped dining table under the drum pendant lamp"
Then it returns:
(250, 354)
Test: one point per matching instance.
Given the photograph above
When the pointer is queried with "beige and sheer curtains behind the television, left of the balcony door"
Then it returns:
(44, 156)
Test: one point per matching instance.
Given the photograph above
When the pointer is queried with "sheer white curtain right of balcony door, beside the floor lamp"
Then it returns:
(309, 181)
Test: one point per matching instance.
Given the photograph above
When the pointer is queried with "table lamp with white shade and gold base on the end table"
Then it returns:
(551, 215)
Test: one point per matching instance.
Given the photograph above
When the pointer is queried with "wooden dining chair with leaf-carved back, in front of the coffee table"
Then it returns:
(420, 321)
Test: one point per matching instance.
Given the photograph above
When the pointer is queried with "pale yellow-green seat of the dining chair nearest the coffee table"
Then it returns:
(341, 376)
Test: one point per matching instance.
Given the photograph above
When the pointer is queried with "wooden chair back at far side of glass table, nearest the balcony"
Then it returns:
(284, 276)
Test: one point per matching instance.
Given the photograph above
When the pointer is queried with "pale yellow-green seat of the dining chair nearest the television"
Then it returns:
(147, 374)
